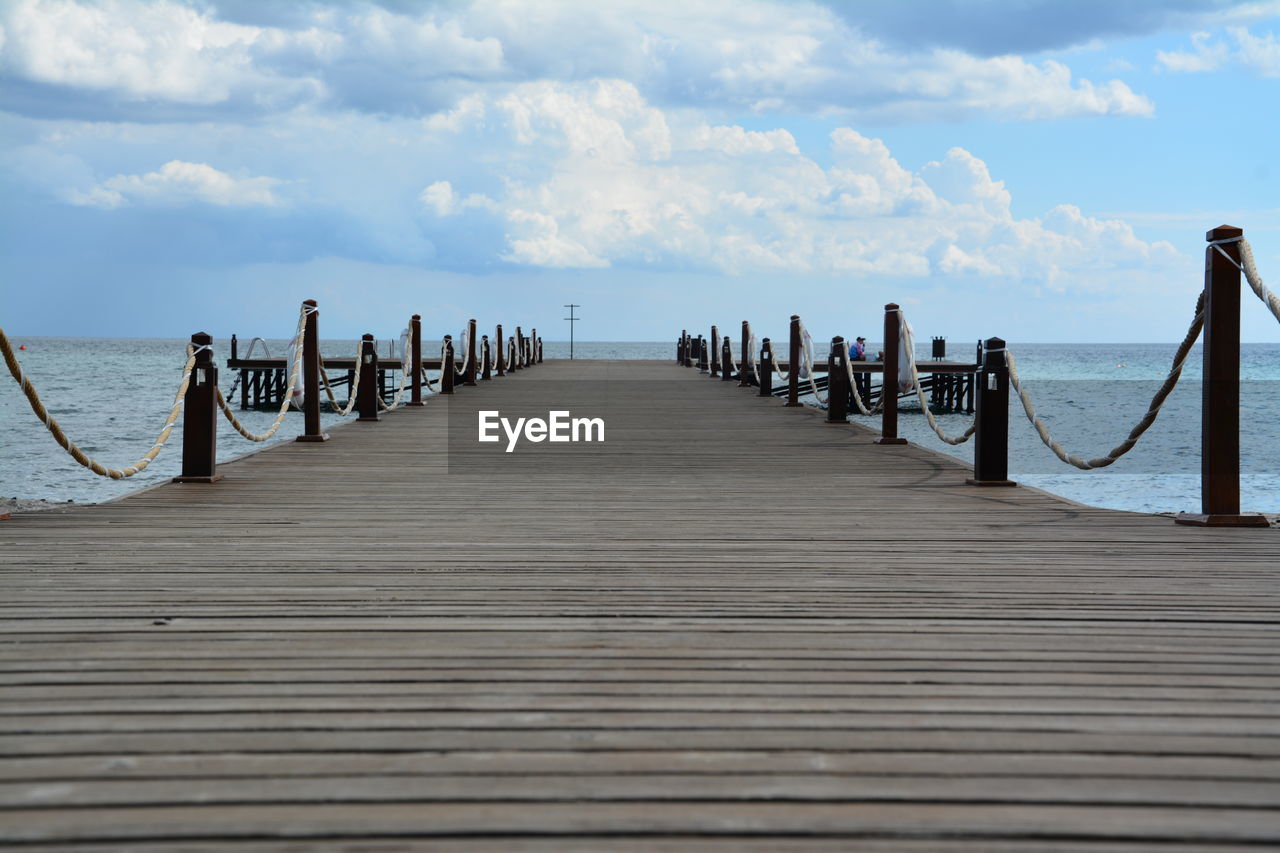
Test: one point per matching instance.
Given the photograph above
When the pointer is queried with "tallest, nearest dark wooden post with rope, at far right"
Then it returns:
(1220, 407)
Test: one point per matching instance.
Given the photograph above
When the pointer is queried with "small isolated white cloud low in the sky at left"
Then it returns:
(180, 184)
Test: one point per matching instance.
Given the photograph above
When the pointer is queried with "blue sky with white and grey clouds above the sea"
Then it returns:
(1035, 170)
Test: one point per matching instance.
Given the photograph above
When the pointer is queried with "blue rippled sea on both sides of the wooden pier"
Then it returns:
(112, 396)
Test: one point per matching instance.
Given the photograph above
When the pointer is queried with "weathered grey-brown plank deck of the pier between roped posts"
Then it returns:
(748, 632)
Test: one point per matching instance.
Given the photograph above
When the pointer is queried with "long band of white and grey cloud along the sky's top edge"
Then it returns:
(725, 54)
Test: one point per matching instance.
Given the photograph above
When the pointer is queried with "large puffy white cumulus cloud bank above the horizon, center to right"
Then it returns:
(730, 200)
